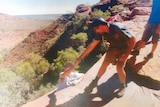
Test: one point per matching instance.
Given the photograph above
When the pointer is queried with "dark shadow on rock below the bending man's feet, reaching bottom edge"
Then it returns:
(105, 93)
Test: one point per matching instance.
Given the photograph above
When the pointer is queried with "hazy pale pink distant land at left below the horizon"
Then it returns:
(13, 32)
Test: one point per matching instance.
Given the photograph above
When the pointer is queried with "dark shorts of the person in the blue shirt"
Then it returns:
(150, 31)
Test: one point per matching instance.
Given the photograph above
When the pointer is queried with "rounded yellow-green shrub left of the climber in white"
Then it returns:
(32, 68)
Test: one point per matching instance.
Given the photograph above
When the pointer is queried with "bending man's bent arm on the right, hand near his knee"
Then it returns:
(131, 43)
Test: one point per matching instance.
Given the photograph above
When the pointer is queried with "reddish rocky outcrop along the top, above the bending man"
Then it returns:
(130, 8)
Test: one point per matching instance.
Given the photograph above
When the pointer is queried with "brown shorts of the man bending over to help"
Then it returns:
(113, 54)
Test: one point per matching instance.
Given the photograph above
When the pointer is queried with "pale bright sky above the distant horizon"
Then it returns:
(30, 7)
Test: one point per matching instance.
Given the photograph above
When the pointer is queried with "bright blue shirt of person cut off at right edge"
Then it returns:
(155, 13)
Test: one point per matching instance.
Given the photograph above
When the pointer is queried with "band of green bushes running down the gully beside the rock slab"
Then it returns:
(28, 76)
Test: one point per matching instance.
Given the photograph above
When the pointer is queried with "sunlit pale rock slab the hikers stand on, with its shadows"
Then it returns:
(143, 82)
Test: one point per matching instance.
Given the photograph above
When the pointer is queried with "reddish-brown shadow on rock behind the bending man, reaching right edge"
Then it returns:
(131, 70)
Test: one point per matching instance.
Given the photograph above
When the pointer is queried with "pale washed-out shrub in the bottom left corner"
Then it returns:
(13, 89)
